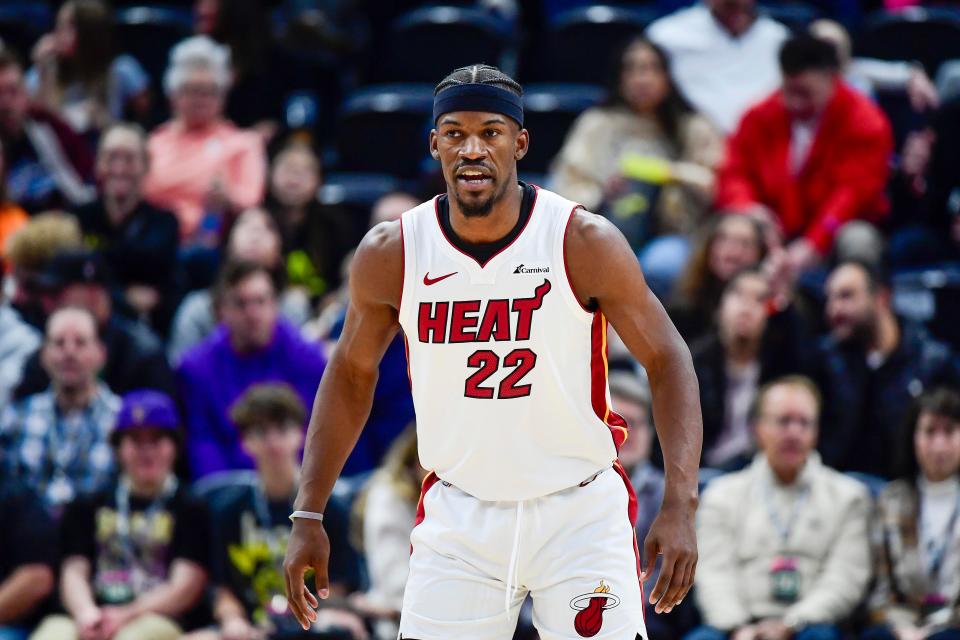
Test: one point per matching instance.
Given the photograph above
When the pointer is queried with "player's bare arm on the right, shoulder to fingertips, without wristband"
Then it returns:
(604, 271)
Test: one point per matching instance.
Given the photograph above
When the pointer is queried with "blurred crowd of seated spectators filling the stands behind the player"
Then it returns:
(175, 241)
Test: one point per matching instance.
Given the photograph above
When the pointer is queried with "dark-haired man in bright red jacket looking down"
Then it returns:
(814, 154)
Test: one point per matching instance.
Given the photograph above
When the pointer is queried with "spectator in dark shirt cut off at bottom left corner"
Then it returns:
(28, 550)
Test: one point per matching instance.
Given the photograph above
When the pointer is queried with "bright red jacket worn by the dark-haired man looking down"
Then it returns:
(843, 177)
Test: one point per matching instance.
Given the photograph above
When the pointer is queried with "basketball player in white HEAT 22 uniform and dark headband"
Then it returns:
(503, 291)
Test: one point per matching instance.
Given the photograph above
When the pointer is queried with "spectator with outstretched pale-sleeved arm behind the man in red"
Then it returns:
(871, 76)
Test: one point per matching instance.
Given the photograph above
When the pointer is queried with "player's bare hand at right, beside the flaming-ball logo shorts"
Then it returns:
(671, 535)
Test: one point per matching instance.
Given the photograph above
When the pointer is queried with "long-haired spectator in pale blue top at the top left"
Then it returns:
(77, 75)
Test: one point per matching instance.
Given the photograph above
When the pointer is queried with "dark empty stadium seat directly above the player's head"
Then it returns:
(426, 44)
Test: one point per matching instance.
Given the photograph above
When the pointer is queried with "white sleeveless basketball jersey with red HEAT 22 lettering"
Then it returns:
(508, 369)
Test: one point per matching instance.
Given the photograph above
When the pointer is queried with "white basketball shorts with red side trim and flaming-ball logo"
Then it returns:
(474, 562)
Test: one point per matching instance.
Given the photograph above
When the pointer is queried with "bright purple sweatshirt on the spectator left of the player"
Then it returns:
(212, 376)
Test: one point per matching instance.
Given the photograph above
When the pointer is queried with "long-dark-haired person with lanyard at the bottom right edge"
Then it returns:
(917, 532)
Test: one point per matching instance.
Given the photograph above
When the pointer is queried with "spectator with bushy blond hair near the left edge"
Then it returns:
(29, 253)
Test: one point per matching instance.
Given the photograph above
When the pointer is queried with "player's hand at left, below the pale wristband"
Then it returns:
(308, 548)
